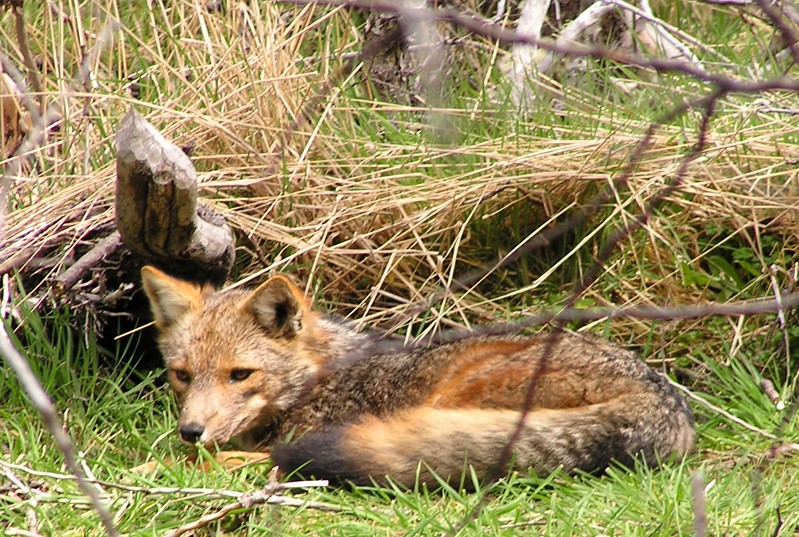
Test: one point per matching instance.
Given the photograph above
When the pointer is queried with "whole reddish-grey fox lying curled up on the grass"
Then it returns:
(263, 370)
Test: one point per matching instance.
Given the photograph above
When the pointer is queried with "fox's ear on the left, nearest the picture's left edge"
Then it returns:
(170, 298)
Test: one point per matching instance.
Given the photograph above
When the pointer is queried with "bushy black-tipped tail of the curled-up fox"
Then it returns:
(585, 438)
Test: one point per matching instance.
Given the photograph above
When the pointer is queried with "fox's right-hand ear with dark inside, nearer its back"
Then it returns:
(279, 306)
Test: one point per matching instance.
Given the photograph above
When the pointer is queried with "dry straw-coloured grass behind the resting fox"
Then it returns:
(353, 196)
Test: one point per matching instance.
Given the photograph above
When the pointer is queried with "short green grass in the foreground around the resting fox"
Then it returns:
(118, 420)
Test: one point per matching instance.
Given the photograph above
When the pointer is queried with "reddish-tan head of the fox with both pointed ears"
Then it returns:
(236, 359)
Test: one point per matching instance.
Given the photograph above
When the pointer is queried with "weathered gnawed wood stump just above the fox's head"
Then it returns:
(157, 213)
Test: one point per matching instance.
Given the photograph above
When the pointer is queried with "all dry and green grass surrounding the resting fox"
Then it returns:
(377, 208)
